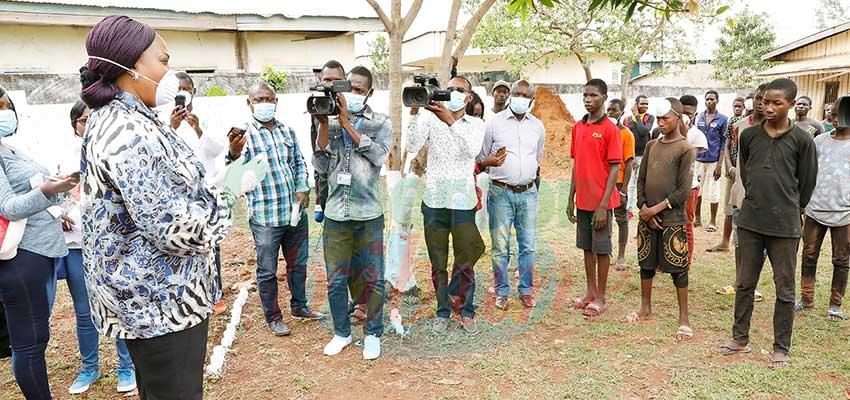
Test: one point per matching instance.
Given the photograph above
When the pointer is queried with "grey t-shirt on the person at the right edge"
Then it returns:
(830, 203)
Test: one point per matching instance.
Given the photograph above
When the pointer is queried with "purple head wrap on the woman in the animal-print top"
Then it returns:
(117, 38)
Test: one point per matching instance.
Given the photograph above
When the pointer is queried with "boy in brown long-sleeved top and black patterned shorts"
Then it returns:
(664, 186)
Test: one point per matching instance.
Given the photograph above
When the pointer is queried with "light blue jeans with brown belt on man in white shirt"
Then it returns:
(508, 209)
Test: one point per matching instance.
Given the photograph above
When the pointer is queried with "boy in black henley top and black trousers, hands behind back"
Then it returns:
(778, 166)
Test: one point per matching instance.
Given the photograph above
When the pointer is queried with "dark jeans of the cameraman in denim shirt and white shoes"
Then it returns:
(363, 241)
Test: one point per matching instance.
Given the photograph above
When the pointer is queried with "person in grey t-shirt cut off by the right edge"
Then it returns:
(829, 210)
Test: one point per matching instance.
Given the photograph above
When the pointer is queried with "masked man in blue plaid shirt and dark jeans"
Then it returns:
(276, 206)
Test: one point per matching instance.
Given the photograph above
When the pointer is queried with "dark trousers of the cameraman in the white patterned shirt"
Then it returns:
(468, 248)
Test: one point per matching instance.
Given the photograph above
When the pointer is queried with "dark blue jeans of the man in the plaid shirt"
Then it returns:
(293, 242)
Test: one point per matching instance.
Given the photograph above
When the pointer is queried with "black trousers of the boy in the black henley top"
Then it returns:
(782, 253)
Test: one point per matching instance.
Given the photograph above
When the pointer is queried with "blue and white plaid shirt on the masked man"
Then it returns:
(271, 202)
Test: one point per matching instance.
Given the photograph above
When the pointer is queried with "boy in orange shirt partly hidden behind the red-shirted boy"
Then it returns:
(616, 107)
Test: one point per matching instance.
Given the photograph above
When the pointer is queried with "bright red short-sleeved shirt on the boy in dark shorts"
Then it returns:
(595, 146)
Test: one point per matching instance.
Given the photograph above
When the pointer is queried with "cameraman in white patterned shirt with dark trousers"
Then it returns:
(454, 140)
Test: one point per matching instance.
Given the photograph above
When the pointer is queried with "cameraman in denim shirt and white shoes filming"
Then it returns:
(352, 147)
